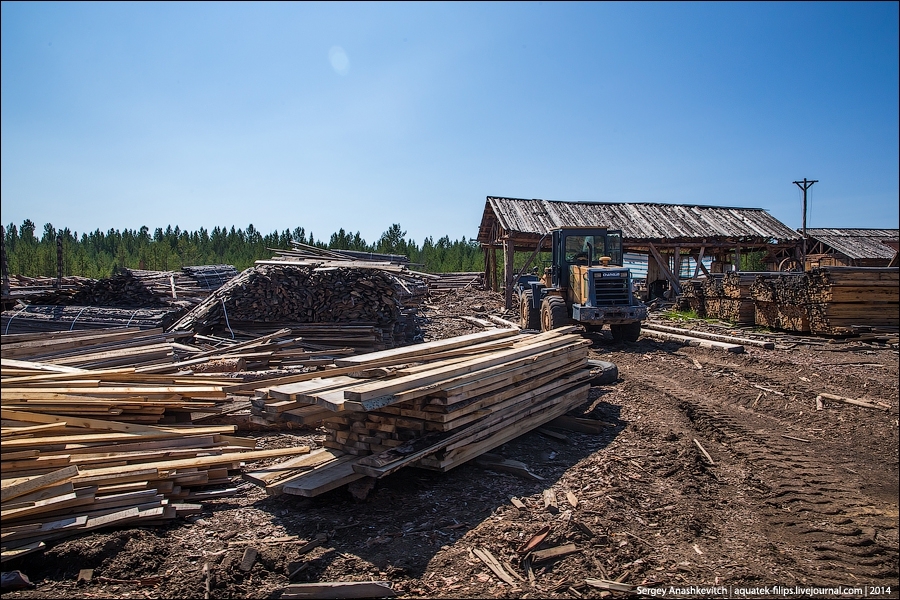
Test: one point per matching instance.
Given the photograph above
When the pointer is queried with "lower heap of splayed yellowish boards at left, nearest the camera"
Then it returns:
(73, 475)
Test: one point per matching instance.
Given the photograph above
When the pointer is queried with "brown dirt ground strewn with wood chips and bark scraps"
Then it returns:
(794, 496)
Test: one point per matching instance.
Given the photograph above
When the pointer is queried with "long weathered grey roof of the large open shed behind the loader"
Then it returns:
(637, 220)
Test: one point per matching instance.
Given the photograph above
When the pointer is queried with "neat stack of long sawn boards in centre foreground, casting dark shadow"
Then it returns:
(433, 405)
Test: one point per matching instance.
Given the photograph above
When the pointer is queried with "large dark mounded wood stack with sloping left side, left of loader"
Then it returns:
(289, 295)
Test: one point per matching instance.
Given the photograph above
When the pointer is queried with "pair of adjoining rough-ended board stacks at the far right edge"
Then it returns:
(829, 300)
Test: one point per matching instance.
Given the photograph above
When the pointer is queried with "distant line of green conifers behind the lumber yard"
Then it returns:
(98, 254)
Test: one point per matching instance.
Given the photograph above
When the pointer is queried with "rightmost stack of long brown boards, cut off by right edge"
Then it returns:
(841, 298)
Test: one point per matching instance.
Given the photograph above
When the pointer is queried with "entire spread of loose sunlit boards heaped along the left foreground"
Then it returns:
(82, 449)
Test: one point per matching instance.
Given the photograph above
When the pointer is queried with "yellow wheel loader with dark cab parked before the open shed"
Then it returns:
(584, 284)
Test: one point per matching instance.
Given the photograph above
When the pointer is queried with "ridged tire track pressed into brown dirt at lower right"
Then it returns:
(822, 519)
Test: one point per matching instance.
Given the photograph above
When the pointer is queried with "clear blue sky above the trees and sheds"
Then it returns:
(357, 116)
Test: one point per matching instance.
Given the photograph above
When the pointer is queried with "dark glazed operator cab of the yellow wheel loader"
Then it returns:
(583, 246)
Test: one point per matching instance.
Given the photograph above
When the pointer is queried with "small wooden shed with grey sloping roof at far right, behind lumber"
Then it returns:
(851, 247)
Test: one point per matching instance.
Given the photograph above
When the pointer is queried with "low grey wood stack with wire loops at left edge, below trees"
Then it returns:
(40, 318)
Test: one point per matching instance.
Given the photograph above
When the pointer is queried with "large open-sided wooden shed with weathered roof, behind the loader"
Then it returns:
(667, 233)
